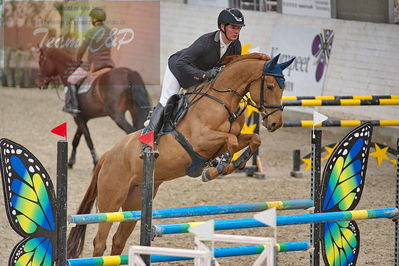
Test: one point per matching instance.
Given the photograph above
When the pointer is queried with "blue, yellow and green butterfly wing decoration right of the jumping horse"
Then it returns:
(342, 186)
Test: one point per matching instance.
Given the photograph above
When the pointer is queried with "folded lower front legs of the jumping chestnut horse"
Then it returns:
(252, 141)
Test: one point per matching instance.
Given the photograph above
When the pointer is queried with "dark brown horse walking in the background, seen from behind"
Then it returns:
(112, 94)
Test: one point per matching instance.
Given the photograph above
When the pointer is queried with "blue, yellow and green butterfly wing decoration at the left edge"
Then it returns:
(30, 205)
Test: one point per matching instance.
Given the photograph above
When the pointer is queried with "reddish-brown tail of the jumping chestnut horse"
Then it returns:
(76, 237)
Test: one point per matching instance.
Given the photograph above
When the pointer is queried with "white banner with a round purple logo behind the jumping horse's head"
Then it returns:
(312, 48)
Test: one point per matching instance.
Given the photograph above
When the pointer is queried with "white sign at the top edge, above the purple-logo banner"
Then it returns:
(314, 8)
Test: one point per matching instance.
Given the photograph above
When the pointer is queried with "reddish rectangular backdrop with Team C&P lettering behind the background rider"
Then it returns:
(134, 36)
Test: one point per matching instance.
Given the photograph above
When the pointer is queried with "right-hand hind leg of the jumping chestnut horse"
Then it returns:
(133, 202)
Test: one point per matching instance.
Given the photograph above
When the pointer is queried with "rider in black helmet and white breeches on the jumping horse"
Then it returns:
(199, 62)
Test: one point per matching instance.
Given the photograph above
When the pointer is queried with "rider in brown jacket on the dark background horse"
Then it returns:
(98, 42)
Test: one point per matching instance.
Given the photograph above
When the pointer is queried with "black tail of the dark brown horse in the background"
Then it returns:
(140, 99)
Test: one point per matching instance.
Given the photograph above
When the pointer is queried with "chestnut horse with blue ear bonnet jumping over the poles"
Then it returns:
(212, 126)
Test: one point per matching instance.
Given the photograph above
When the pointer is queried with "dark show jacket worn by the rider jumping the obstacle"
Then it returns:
(189, 65)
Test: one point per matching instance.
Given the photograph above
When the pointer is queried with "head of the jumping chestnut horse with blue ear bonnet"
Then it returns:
(267, 93)
